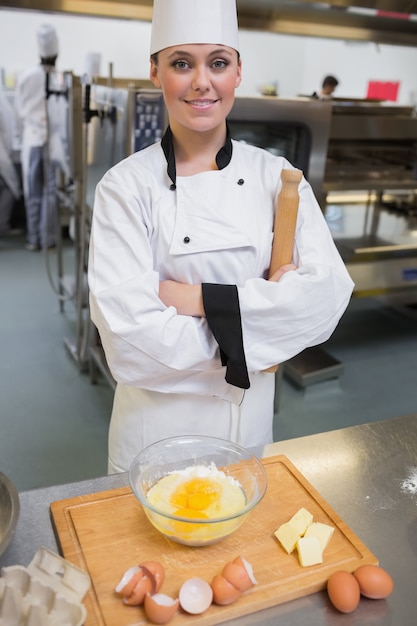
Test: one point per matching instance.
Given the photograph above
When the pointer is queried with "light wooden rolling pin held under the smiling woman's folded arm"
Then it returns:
(284, 225)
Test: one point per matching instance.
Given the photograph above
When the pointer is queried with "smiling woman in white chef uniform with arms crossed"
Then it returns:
(179, 255)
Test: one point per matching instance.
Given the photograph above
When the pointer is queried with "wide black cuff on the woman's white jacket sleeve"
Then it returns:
(221, 305)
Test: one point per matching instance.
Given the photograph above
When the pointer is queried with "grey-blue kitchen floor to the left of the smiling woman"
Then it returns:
(53, 422)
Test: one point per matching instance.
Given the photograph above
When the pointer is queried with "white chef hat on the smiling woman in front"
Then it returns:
(177, 22)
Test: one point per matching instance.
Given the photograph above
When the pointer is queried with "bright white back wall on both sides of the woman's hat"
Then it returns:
(294, 64)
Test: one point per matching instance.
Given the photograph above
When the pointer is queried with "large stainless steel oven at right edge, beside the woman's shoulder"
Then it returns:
(372, 148)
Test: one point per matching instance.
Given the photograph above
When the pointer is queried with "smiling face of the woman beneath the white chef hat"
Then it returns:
(198, 82)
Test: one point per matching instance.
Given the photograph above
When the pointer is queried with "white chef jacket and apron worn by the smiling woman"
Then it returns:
(212, 227)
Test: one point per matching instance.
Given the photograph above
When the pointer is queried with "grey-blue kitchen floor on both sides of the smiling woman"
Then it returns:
(53, 421)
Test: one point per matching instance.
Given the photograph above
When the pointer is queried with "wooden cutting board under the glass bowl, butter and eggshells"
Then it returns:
(106, 533)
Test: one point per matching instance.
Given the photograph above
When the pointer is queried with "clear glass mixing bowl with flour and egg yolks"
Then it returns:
(200, 462)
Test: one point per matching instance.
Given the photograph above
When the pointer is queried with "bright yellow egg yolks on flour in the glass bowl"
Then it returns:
(194, 496)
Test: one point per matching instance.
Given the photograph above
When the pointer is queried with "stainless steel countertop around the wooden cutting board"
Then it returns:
(368, 474)
